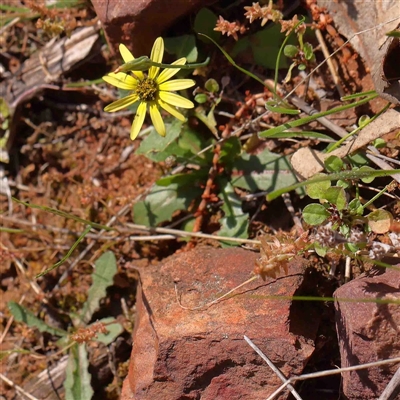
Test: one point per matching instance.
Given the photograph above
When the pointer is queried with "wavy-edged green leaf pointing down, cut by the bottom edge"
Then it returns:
(77, 380)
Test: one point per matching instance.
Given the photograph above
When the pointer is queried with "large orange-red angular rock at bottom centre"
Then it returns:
(183, 354)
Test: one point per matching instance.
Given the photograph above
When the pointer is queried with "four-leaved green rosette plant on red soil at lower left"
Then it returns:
(77, 382)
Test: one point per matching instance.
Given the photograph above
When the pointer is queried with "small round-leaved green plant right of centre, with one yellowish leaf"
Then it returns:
(341, 222)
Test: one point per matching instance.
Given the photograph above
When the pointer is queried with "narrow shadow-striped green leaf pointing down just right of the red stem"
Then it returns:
(235, 223)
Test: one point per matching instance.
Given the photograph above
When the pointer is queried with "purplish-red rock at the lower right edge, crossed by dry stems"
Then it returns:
(368, 332)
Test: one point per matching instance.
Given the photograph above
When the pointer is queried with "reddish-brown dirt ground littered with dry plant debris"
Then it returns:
(68, 154)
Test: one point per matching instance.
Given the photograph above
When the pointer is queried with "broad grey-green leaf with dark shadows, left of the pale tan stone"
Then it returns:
(263, 171)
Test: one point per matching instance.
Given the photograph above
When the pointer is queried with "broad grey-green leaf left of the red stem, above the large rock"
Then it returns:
(162, 202)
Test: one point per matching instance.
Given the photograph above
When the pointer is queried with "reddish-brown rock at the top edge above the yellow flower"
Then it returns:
(138, 23)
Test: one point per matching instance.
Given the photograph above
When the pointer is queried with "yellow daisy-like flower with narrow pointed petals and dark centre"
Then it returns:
(153, 90)
